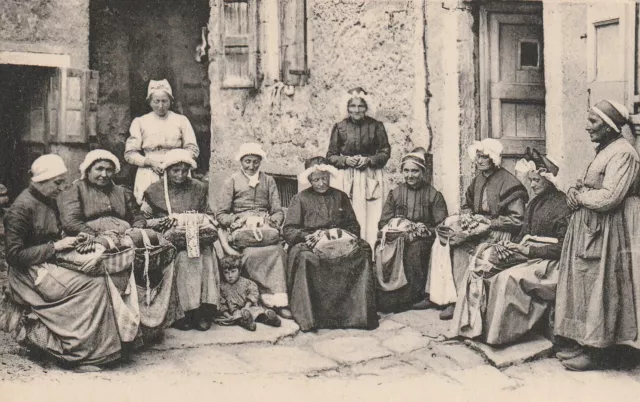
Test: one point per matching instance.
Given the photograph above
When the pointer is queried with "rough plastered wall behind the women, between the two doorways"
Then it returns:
(374, 44)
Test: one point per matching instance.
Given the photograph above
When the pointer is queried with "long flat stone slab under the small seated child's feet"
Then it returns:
(221, 335)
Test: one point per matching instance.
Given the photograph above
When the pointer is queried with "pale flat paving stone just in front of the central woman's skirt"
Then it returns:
(351, 350)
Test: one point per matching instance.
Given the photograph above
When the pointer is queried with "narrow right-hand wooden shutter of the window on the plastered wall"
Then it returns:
(294, 42)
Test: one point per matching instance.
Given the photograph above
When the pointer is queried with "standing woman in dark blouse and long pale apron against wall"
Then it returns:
(360, 149)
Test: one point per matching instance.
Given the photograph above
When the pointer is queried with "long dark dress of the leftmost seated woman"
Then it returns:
(71, 316)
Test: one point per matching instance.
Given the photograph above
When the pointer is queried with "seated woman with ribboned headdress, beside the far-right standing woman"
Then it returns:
(511, 285)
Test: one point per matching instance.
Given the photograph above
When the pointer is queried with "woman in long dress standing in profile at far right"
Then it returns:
(595, 297)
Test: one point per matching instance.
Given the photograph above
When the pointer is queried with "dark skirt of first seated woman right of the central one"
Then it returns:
(416, 269)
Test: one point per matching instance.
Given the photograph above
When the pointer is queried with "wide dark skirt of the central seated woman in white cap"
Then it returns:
(337, 293)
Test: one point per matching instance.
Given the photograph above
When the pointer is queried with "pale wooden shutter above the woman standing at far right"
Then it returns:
(611, 43)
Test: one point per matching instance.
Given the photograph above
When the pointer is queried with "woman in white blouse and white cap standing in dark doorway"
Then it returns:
(154, 134)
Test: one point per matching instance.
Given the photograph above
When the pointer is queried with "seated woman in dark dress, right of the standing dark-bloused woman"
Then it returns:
(417, 201)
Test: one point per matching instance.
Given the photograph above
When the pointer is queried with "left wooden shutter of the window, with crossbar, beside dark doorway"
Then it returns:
(239, 50)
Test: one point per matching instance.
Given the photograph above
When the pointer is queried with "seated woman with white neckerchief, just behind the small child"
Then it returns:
(250, 203)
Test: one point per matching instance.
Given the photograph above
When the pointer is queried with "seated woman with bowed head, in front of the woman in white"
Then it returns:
(197, 278)
